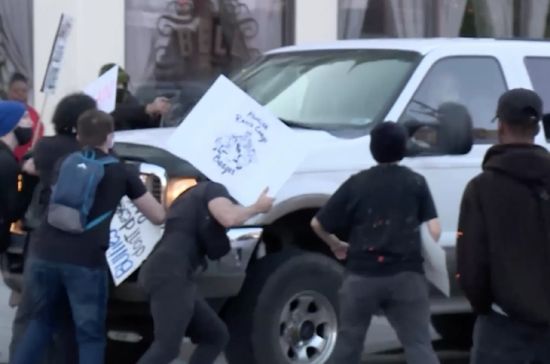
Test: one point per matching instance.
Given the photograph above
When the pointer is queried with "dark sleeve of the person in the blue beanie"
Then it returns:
(9, 195)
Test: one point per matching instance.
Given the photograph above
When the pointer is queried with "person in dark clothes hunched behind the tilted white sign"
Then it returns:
(195, 229)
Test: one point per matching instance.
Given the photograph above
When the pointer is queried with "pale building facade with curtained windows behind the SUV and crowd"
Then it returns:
(190, 42)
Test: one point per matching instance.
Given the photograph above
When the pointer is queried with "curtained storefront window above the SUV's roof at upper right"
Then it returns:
(443, 18)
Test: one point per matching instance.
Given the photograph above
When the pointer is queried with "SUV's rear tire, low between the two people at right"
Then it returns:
(455, 329)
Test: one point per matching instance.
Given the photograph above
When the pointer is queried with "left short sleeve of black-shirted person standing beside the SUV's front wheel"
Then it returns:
(335, 215)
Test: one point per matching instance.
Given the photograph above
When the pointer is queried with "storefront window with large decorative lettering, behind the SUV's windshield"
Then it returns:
(188, 43)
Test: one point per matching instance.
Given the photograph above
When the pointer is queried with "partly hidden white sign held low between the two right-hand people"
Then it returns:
(435, 263)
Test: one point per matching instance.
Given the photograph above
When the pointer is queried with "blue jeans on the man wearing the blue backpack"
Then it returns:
(86, 289)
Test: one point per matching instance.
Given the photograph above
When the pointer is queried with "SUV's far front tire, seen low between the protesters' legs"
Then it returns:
(121, 352)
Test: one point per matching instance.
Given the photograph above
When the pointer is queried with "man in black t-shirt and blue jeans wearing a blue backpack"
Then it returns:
(74, 263)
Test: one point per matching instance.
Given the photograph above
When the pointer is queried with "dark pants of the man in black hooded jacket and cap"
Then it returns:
(500, 340)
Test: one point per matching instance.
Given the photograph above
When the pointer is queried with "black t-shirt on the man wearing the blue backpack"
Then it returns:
(88, 248)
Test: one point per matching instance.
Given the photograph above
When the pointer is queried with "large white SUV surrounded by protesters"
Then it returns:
(278, 287)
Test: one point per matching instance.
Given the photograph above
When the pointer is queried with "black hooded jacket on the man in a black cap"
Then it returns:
(503, 249)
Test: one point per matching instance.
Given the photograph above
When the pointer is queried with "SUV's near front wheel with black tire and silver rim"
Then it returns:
(304, 287)
